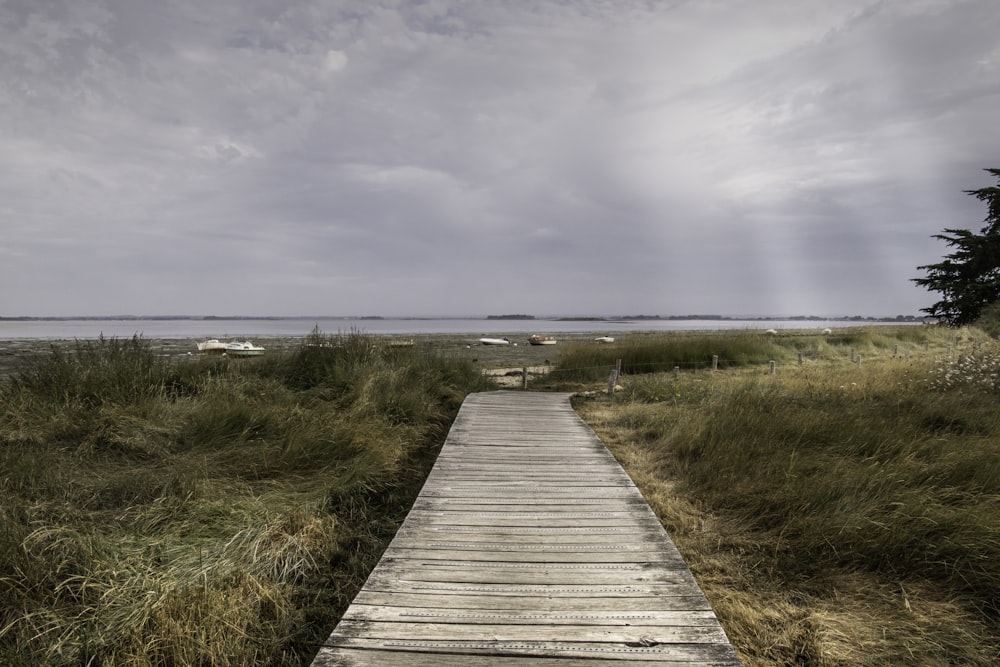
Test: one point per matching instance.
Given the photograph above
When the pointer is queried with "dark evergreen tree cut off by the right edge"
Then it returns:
(969, 278)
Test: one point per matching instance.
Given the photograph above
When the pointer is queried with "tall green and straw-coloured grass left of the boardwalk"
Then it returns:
(157, 511)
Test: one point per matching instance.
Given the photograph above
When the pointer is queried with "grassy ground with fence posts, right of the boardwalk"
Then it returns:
(834, 512)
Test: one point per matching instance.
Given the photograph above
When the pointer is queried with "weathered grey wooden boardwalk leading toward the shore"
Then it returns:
(528, 545)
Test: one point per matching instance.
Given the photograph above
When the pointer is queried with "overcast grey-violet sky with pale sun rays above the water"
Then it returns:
(435, 158)
